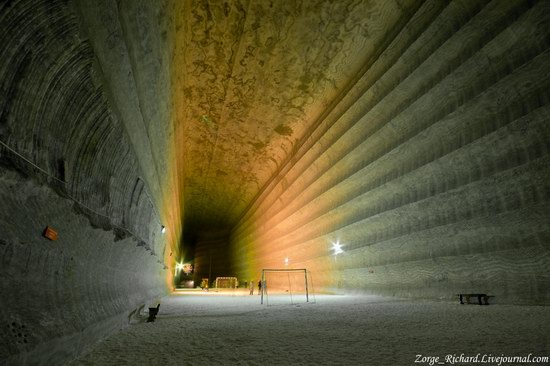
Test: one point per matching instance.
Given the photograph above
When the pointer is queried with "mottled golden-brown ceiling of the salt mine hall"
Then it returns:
(251, 79)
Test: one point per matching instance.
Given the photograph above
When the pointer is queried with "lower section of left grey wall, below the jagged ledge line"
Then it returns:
(58, 296)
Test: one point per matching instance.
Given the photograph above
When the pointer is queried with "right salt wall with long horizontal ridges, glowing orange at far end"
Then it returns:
(431, 169)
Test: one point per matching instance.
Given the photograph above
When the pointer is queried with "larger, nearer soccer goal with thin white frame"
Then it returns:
(286, 286)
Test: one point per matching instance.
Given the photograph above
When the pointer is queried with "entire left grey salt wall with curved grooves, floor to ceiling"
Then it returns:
(71, 159)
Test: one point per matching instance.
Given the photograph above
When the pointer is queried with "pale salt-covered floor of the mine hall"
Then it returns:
(234, 329)
